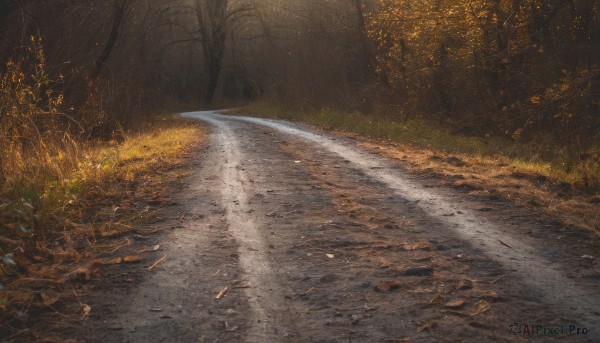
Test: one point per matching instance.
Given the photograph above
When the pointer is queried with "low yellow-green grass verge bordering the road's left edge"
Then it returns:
(87, 213)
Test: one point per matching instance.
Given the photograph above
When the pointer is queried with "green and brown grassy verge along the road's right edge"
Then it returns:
(550, 179)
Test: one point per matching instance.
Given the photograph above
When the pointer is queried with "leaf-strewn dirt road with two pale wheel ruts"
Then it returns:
(310, 238)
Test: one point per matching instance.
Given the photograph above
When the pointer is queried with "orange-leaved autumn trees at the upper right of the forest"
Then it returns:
(524, 69)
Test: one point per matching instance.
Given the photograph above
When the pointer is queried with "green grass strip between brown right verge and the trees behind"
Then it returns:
(572, 165)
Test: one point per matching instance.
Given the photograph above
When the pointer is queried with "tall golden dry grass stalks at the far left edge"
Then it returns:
(37, 151)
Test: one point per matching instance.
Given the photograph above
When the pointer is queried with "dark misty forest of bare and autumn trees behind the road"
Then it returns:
(520, 68)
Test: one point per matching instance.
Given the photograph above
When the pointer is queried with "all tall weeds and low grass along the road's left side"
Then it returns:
(63, 192)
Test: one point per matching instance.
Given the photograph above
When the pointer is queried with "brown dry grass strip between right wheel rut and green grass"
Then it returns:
(496, 177)
